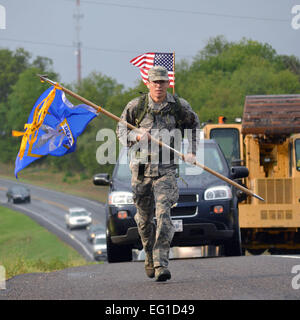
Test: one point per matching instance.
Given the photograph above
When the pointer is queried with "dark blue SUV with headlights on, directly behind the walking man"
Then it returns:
(206, 212)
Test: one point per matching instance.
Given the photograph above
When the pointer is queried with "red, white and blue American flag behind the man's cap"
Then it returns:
(148, 60)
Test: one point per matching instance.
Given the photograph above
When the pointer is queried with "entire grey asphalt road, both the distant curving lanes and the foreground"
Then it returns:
(262, 277)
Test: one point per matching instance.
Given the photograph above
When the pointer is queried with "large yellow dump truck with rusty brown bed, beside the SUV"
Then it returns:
(268, 144)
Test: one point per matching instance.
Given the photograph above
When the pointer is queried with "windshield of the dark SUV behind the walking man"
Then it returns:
(208, 154)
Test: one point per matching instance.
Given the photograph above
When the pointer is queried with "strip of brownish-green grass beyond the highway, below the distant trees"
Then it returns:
(75, 184)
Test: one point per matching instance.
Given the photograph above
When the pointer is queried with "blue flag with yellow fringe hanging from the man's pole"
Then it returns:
(53, 127)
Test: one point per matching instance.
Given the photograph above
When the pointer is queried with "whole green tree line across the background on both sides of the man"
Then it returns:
(215, 83)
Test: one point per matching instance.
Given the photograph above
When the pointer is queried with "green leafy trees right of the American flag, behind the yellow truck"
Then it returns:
(223, 73)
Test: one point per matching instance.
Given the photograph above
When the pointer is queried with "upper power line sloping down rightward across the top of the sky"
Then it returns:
(169, 10)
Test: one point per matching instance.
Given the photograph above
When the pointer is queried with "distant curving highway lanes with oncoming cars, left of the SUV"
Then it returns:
(49, 207)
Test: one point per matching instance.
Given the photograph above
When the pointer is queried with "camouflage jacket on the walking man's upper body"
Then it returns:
(157, 120)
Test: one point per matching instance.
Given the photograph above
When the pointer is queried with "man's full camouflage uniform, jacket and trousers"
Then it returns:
(155, 191)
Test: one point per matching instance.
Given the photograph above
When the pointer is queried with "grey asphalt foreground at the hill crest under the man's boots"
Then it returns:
(220, 278)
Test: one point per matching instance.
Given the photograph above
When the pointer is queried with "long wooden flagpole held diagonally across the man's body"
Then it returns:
(130, 126)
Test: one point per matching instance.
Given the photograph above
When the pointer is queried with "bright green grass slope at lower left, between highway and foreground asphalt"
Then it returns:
(26, 247)
